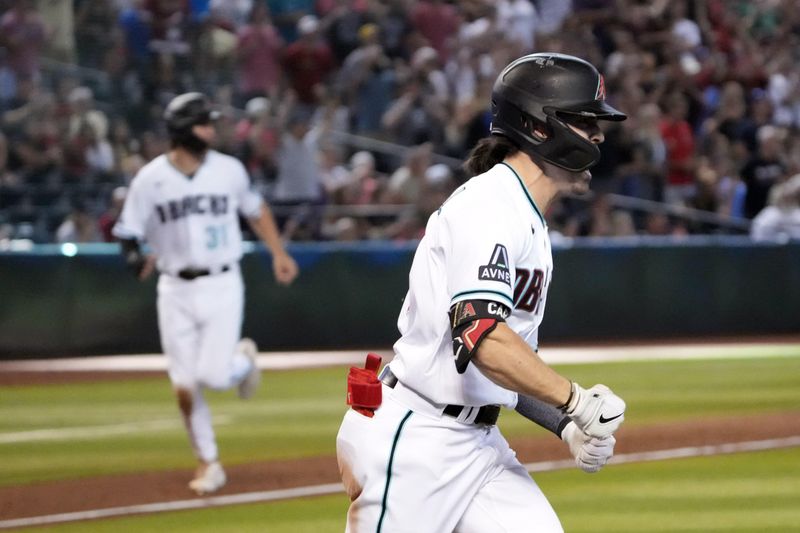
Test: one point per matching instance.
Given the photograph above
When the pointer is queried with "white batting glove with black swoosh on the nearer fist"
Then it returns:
(598, 412)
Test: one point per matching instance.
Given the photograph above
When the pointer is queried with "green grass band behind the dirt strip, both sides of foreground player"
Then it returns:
(297, 413)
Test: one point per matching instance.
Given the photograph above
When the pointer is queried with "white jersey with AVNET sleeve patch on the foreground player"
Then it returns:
(488, 241)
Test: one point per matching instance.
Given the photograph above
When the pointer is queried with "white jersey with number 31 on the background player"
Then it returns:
(189, 221)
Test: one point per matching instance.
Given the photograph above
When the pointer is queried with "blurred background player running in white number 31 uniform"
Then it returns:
(185, 205)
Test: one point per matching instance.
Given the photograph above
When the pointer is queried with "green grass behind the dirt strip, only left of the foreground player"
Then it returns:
(296, 414)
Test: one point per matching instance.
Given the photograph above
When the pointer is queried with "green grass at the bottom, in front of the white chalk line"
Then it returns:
(747, 492)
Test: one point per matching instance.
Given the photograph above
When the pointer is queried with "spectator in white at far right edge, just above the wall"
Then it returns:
(780, 220)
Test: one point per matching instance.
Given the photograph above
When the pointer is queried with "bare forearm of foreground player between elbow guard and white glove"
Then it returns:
(508, 361)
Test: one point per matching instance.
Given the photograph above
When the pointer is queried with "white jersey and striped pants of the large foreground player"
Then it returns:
(411, 468)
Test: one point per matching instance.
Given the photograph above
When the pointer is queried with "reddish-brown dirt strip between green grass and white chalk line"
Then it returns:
(164, 486)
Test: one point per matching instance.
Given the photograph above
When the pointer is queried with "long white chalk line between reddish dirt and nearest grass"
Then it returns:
(335, 488)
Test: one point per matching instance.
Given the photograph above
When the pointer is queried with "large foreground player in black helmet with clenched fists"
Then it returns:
(420, 451)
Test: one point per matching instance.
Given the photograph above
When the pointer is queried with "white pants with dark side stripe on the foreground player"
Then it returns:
(410, 469)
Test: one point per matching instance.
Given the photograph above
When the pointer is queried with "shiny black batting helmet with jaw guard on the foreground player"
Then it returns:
(534, 98)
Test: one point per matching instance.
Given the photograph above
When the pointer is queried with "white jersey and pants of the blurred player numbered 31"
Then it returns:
(193, 222)
